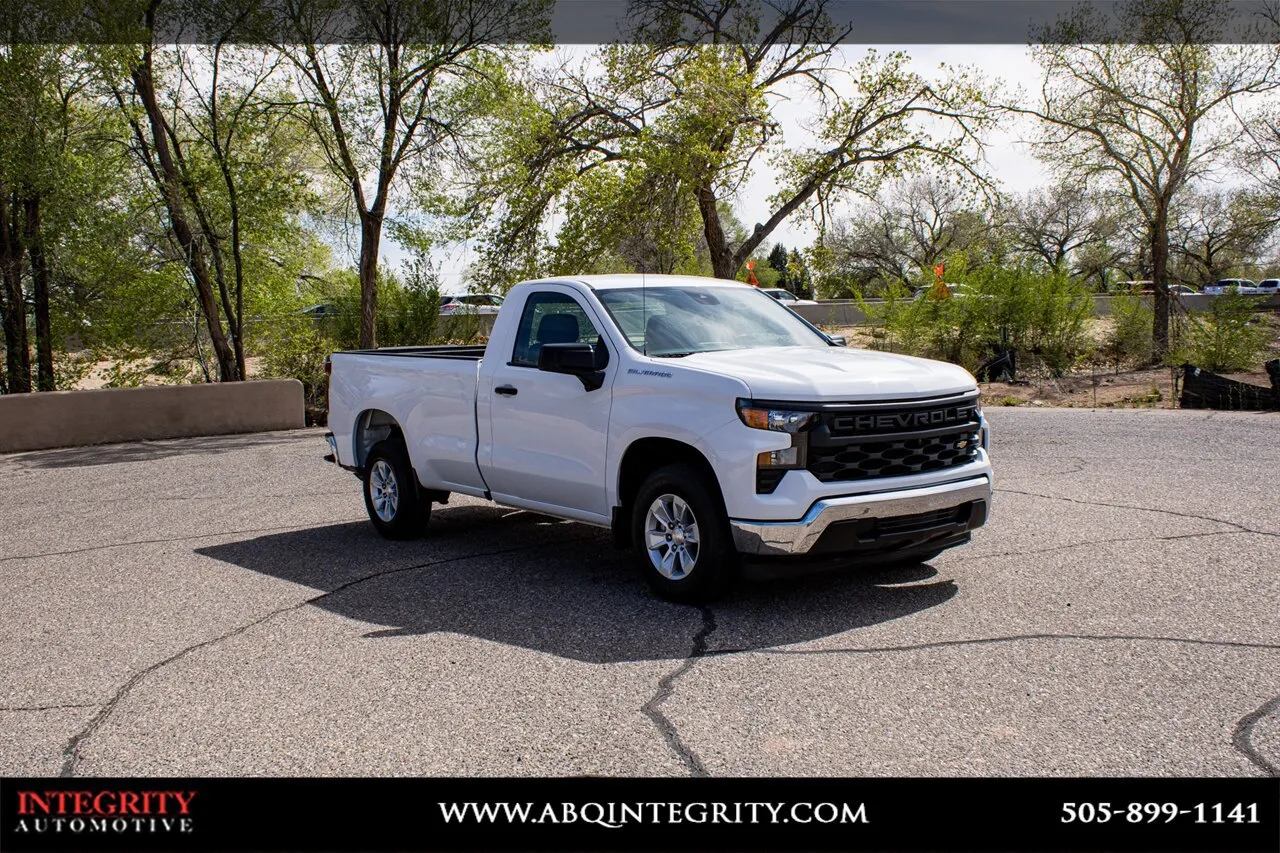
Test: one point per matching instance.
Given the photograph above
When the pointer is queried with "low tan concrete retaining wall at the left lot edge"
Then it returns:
(75, 418)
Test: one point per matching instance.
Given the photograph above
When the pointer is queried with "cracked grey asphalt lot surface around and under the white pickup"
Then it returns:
(221, 606)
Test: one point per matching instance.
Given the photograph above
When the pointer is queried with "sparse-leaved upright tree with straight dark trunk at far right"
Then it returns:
(1151, 117)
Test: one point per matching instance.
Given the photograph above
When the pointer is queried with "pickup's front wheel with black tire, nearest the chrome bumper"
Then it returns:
(715, 562)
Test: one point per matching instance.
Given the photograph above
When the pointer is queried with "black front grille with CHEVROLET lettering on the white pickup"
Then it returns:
(894, 440)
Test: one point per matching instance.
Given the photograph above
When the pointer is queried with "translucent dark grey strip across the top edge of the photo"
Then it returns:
(569, 22)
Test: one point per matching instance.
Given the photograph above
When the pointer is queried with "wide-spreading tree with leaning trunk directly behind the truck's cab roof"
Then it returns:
(693, 104)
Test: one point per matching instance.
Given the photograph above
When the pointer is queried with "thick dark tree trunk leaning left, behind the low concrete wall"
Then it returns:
(180, 225)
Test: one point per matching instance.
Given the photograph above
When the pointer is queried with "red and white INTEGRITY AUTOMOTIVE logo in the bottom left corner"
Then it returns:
(107, 813)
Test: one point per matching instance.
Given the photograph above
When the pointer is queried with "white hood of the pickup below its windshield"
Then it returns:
(812, 375)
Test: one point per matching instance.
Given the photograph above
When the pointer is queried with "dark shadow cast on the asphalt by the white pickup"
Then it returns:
(561, 589)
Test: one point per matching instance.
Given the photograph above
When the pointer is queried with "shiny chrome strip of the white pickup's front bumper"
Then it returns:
(781, 539)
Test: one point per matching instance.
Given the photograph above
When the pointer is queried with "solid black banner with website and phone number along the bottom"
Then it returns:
(641, 814)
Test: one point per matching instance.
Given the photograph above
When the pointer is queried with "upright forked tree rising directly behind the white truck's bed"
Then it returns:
(412, 90)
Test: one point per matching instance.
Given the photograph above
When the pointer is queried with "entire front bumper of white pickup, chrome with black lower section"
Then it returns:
(935, 517)
